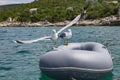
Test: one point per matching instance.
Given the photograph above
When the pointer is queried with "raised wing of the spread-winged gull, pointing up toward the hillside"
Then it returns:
(75, 20)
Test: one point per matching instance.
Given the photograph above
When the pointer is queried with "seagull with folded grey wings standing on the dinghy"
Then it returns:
(66, 36)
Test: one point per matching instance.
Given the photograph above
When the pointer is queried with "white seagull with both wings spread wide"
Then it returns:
(55, 33)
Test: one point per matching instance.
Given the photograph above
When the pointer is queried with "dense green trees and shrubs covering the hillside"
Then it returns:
(58, 10)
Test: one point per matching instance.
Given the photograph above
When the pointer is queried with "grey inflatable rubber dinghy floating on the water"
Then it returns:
(87, 60)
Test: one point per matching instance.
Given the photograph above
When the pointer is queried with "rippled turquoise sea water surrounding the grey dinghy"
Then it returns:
(21, 62)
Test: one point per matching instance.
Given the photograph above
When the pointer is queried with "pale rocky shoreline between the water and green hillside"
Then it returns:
(107, 21)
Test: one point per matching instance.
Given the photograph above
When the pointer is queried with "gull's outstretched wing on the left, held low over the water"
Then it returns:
(31, 41)
